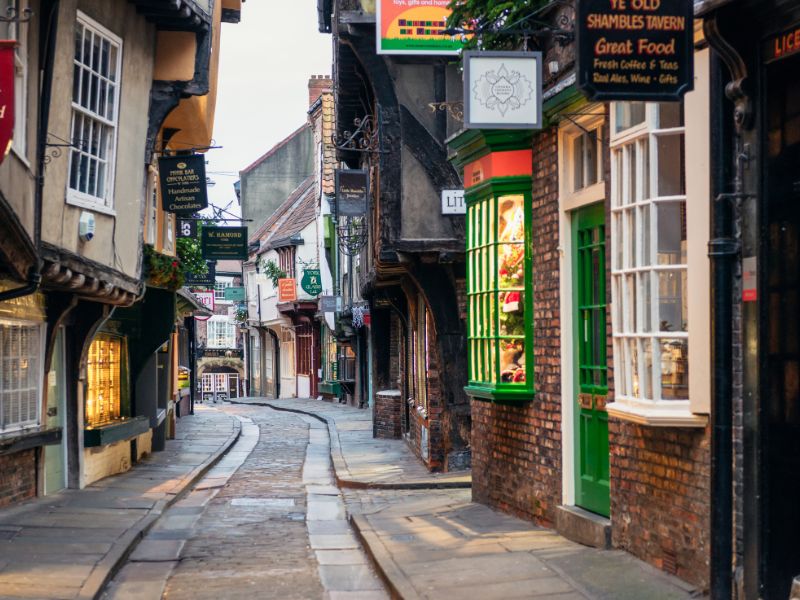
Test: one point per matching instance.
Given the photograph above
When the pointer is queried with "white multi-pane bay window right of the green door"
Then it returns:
(649, 266)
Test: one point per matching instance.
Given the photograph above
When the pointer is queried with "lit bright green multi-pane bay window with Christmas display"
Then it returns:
(500, 290)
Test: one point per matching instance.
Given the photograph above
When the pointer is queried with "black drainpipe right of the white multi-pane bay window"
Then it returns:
(723, 251)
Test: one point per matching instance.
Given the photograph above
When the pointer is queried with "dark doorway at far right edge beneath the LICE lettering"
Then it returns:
(780, 379)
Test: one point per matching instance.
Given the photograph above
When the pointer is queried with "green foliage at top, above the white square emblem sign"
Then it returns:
(490, 17)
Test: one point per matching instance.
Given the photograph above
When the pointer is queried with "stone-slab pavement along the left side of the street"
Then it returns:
(94, 529)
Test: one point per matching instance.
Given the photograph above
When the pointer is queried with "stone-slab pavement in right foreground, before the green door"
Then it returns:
(471, 551)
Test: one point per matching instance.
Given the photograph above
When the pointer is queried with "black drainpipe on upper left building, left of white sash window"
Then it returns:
(47, 50)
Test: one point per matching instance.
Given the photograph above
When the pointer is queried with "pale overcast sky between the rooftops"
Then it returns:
(266, 61)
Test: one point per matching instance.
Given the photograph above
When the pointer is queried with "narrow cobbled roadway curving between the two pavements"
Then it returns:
(266, 522)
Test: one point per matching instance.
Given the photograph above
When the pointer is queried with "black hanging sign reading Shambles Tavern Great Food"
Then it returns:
(635, 50)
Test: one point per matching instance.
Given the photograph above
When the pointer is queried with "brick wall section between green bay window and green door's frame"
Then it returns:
(516, 450)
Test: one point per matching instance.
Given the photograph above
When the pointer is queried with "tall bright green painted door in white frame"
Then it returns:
(591, 451)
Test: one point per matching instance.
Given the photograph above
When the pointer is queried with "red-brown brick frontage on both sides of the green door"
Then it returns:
(659, 476)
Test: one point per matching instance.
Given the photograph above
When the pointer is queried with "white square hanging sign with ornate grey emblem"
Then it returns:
(503, 90)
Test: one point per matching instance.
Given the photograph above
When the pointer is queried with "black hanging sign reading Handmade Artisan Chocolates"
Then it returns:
(183, 183)
